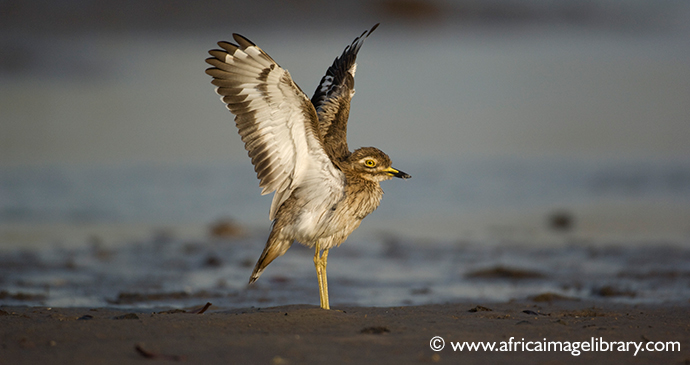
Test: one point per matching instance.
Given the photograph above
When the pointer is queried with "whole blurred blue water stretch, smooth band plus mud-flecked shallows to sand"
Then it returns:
(390, 261)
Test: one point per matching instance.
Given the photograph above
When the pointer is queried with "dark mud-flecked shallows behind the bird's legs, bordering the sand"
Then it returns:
(163, 271)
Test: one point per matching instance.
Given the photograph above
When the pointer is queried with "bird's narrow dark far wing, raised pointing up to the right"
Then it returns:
(332, 99)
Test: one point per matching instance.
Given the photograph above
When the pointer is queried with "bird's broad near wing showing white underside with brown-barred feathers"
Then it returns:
(276, 120)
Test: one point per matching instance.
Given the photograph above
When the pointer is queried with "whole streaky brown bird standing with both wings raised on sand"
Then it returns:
(299, 150)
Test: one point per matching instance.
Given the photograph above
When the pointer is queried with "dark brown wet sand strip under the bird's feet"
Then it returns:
(301, 334)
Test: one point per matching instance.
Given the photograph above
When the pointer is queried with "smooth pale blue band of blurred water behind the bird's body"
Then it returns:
(200, 194)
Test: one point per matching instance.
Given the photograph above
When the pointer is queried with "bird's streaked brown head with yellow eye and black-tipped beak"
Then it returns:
(372, 164)
